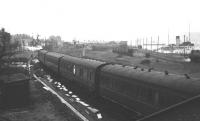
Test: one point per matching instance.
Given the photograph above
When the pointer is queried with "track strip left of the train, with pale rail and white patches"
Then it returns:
(84, 112)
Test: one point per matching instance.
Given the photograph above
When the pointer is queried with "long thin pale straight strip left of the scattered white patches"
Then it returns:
(62, 100)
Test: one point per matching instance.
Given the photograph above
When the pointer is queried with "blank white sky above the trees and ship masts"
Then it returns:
(102, 20)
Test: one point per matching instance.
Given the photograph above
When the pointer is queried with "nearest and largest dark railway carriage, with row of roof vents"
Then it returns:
(142, 90)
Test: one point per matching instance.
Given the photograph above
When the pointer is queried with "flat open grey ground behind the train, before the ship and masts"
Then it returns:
(176, 65)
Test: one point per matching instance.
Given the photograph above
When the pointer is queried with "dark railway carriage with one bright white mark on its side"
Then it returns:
(81, 70)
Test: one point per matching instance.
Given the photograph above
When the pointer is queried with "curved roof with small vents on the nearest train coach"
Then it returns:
(171, 81)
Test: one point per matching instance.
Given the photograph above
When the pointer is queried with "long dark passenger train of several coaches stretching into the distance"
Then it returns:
(142, 90)
